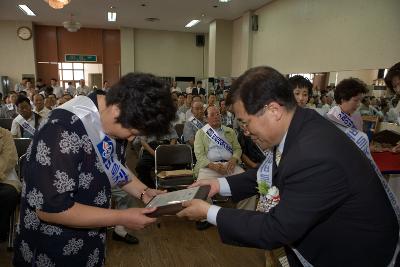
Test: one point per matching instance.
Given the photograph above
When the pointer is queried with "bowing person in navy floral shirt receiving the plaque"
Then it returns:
(66, 192)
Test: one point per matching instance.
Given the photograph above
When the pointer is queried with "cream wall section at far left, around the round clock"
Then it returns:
(16, 55)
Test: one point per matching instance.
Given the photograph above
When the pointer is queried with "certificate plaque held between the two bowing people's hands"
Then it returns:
(171, 203)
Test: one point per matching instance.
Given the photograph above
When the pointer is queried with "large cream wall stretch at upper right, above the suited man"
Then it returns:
(315, 36)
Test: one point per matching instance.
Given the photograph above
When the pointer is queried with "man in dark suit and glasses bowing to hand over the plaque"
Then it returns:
(330, 204)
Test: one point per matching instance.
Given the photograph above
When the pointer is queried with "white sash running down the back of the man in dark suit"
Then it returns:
(361, 140)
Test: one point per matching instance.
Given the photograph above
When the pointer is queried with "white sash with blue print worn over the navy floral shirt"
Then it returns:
(86, 110)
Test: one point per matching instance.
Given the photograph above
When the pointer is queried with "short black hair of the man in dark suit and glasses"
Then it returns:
(260, 86)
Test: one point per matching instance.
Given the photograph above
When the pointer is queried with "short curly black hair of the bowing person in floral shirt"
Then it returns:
(145, 103)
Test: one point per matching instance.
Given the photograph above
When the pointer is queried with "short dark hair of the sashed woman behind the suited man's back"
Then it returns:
(349, 88)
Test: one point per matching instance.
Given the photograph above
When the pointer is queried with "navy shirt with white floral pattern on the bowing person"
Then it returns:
(61, 169)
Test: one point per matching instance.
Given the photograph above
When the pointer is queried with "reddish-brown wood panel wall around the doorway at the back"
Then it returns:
(53, 42)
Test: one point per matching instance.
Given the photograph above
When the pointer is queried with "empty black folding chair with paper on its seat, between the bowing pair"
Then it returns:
(173, 157)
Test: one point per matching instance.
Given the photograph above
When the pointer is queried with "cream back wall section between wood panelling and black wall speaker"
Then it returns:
(167, 53)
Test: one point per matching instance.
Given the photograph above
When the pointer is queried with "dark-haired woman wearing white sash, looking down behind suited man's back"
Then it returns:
(348, 95)
